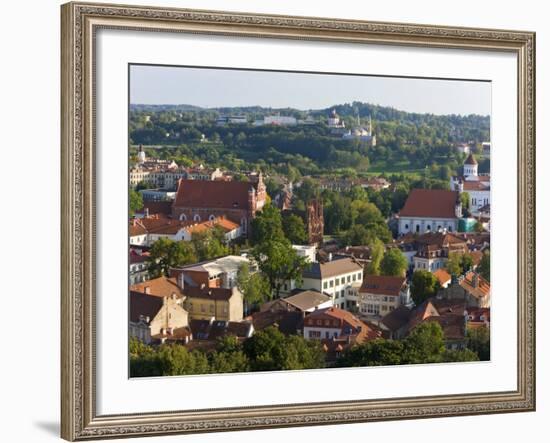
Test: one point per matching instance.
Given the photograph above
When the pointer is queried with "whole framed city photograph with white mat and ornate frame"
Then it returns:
(275, 221)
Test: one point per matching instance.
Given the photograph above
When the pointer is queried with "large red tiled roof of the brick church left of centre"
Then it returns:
(212, 194)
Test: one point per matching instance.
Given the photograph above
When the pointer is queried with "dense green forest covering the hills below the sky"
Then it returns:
(406, 142)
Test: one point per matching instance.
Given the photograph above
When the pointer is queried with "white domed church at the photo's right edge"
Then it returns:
(478, 186)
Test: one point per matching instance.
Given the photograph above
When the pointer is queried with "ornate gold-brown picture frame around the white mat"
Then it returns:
(79, 420)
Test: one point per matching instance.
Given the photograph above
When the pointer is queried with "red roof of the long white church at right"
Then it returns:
(436, 203)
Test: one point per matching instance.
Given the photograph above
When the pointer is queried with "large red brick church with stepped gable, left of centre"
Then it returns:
(201, 200)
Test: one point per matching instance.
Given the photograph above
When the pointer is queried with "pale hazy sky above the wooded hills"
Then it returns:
(219, 87)
